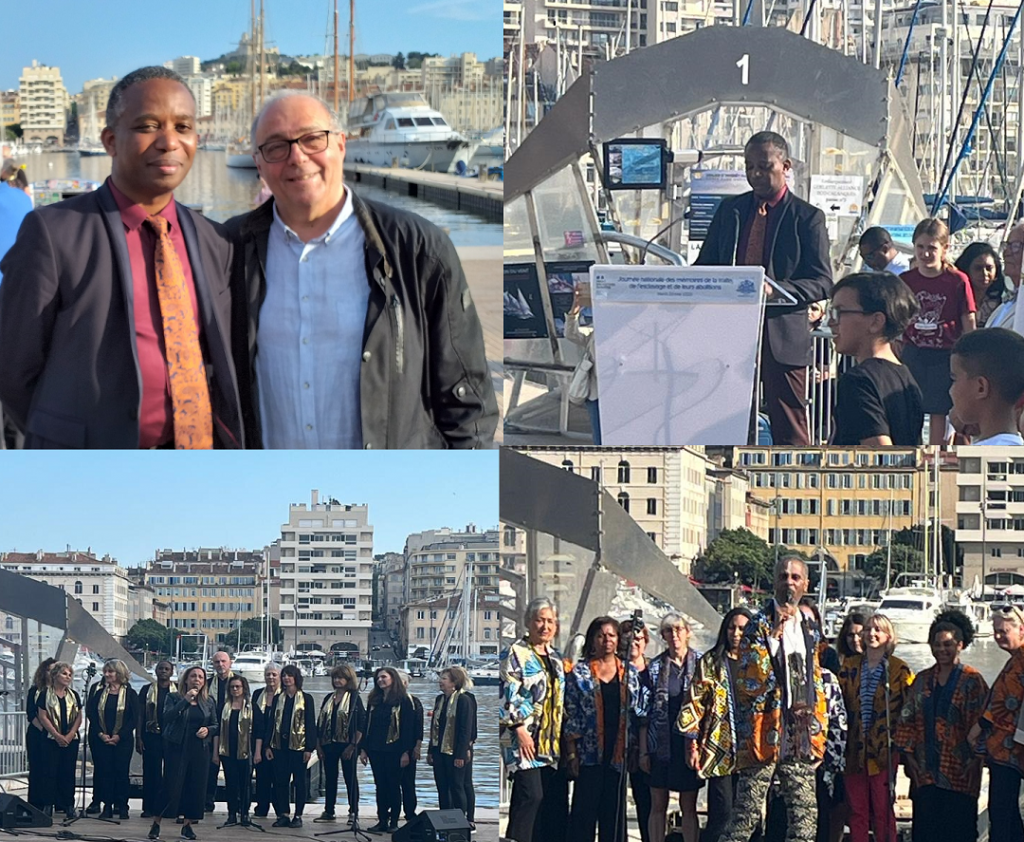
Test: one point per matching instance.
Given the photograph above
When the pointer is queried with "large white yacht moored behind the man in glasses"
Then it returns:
(401, 128)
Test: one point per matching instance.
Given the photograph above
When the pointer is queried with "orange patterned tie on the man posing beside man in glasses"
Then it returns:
(190, 396)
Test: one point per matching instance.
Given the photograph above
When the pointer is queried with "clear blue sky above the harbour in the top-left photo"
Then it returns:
(89, 39)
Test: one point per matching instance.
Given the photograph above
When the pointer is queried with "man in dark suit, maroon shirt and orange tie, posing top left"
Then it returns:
(115, 308)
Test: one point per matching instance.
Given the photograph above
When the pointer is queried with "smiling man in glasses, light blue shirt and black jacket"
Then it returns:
(354, 324)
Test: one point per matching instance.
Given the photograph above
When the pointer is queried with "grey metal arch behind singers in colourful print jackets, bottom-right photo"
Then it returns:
(542, 497)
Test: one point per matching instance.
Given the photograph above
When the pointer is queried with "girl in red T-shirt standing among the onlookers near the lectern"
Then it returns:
(948, 311)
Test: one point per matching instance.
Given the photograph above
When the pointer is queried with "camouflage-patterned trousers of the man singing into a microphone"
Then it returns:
(797, 781)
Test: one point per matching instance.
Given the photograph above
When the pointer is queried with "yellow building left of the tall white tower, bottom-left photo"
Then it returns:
(210, 591)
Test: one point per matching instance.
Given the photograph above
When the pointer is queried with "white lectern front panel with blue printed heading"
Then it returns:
(676, 352)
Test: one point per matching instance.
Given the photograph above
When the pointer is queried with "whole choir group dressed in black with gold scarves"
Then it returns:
(188, 732)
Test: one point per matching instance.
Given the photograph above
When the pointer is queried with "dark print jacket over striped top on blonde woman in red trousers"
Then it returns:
(870, 753)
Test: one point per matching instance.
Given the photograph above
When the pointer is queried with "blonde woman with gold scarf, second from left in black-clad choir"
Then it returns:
(61, 714)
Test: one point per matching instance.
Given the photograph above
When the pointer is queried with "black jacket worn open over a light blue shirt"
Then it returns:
(424, 382)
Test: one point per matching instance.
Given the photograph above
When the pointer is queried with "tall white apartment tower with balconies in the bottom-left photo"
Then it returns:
(327, 566)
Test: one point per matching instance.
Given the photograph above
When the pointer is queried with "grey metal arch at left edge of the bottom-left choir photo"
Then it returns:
(52, 607)
